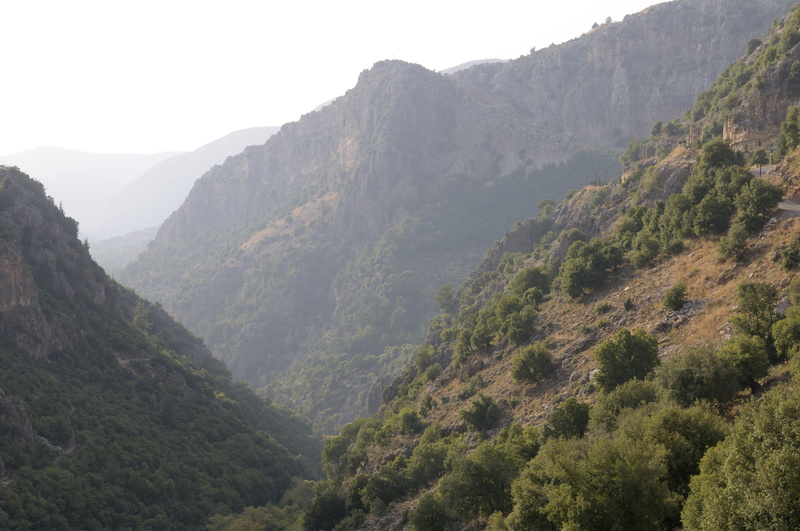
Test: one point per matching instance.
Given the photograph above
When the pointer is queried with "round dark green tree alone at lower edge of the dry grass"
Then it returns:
(624, 357)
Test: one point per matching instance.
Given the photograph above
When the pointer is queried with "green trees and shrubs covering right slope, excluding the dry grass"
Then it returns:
(652, 448)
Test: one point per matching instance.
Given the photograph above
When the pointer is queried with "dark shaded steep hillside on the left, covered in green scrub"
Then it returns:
(111, 414)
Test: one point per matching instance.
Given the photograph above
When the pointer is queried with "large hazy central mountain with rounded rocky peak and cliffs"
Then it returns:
(309, 264)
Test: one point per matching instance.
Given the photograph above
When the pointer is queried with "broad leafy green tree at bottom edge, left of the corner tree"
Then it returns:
(601, 483)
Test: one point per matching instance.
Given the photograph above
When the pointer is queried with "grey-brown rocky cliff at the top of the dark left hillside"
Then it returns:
(35, 249)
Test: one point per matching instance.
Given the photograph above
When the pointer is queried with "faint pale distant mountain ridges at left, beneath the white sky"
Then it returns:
(113, 194)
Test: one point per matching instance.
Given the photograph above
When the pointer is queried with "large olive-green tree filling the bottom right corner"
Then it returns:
(751, 480)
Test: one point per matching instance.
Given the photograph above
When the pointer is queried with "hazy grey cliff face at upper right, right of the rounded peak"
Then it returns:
(619, 79)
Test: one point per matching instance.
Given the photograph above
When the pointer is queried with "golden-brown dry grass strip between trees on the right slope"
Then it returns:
(711, 286)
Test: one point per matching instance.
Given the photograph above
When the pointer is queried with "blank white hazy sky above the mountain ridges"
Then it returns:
(171, 75)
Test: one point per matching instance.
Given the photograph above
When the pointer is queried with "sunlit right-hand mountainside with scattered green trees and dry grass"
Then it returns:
(627, 359)
